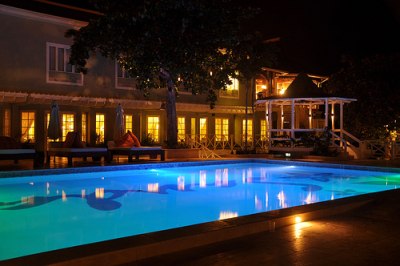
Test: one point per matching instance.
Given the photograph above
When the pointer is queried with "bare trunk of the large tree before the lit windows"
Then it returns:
(172, 127)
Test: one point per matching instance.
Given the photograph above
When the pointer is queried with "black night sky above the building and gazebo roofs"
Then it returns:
(314, 35)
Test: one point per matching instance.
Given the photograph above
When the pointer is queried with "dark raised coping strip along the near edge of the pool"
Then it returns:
(136, 248)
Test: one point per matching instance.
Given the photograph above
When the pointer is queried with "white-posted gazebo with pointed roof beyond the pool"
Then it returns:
(303, 109)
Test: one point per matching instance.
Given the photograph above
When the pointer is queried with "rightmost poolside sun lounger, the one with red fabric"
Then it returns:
(152, 151)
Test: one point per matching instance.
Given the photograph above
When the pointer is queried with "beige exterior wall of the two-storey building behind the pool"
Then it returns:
(23, 70)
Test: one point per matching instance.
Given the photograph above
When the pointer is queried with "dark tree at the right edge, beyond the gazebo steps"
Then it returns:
(374, 82)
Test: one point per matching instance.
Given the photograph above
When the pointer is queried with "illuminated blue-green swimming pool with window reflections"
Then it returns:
(50, 212)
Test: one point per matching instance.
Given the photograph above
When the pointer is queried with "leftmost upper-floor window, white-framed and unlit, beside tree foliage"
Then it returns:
(58, 68)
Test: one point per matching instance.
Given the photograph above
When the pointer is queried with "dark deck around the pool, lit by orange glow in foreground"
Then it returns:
(362, 231)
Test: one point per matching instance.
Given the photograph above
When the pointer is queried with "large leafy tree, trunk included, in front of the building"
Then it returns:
(196, 44)
